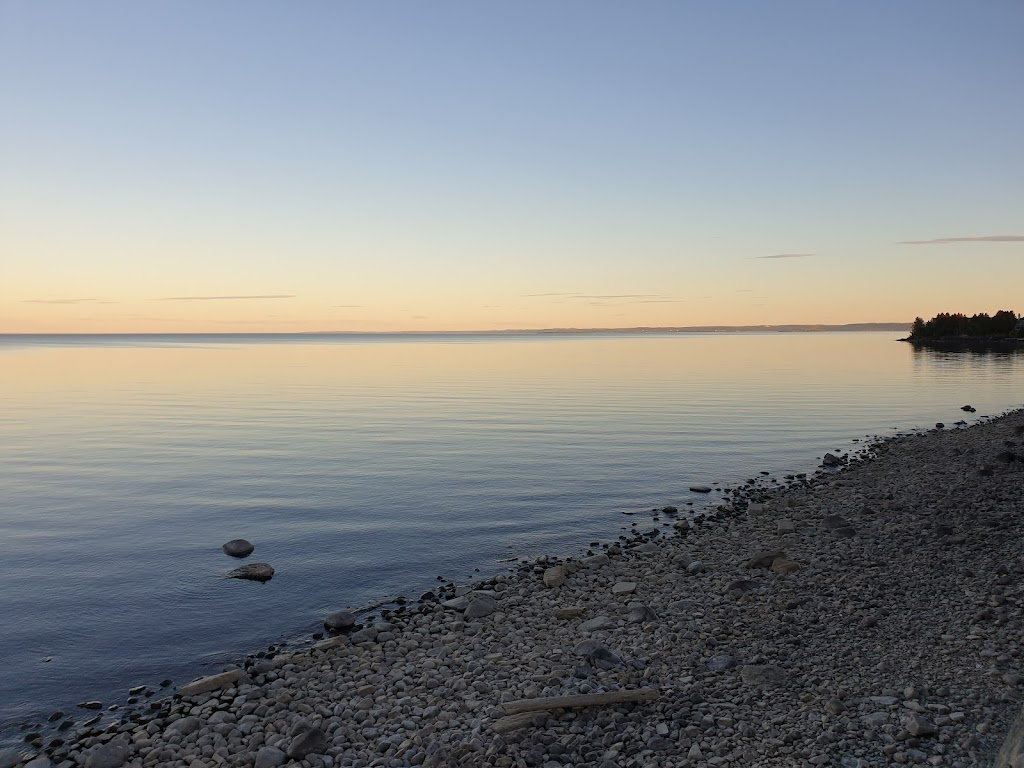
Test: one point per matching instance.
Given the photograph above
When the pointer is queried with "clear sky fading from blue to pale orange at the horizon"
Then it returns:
(254, 166)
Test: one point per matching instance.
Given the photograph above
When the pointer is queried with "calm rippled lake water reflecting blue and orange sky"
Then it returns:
(363, 467)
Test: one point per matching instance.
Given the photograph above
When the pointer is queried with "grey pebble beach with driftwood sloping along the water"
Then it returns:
(870, 616)
